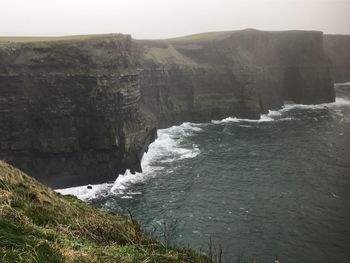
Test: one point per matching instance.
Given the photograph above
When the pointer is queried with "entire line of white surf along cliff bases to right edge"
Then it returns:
(170, 147)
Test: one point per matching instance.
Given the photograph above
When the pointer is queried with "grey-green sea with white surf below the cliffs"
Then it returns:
(257, 189)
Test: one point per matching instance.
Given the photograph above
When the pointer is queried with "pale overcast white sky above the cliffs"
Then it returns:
(149, 19)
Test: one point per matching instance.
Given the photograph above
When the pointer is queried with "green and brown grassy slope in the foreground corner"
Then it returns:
(40, 225)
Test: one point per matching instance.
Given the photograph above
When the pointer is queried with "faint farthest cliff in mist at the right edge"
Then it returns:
(337, 47)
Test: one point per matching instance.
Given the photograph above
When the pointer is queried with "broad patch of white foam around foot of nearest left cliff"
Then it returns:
(169, 147)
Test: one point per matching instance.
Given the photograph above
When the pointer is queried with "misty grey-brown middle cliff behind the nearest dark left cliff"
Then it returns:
(242, 74)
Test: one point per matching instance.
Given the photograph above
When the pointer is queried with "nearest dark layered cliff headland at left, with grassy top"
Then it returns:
(70, 111)
